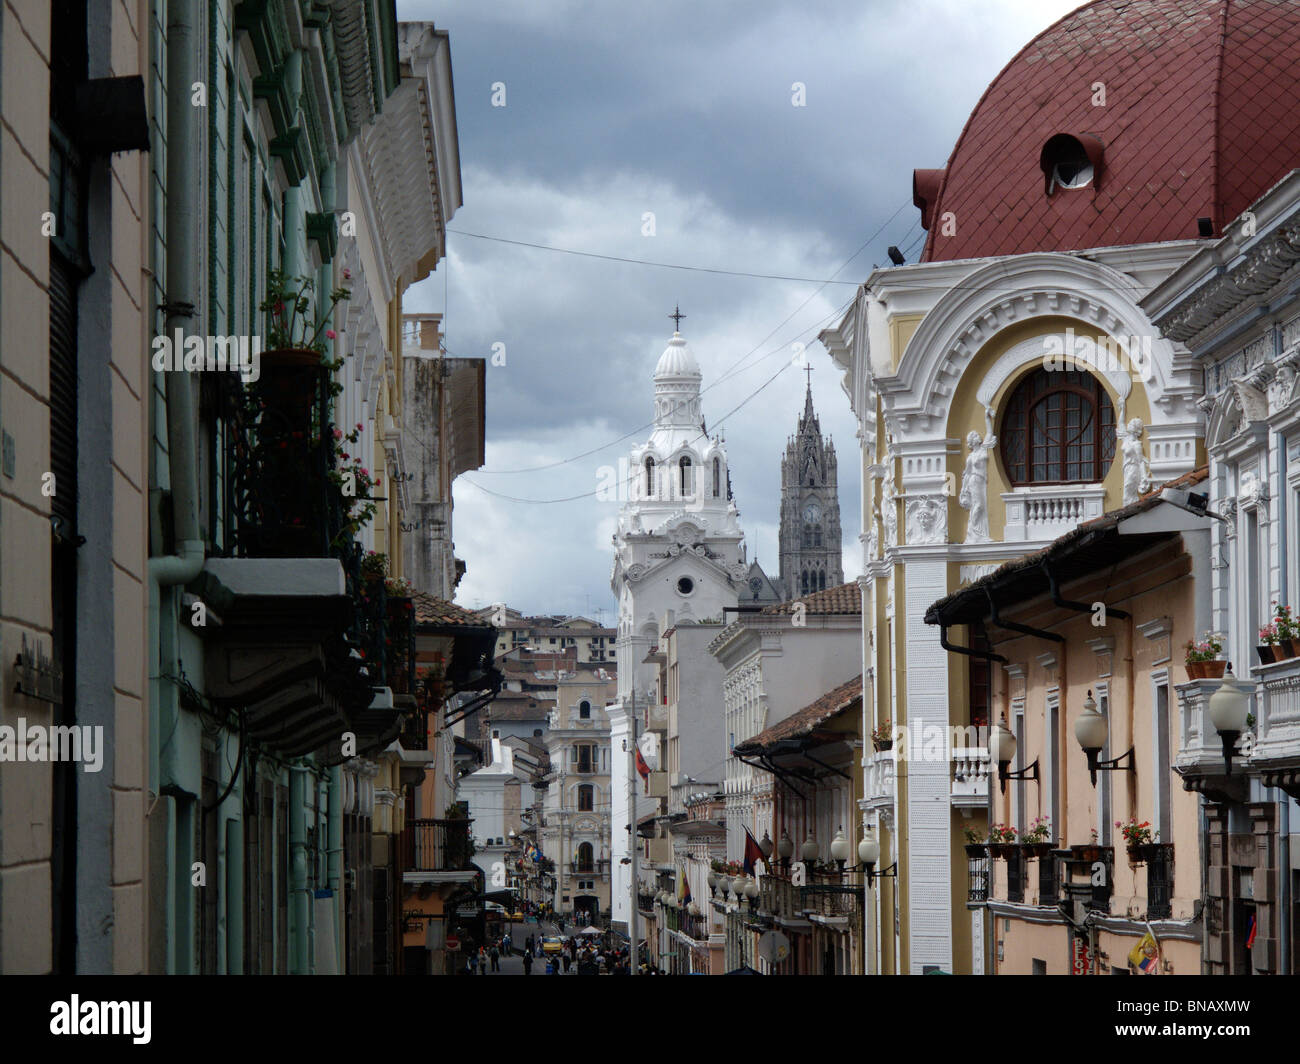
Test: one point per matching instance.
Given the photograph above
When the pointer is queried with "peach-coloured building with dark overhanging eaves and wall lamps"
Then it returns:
(1094, 624)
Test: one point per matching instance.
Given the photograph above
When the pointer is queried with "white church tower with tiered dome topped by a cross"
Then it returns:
(678, 555)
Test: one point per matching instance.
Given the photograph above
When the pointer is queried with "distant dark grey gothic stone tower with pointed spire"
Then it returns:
(811, 511)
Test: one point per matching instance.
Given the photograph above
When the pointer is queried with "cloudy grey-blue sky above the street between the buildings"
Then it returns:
(684, 111)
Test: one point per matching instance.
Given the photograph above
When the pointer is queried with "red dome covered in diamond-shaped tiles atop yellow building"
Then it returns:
(1202, 116)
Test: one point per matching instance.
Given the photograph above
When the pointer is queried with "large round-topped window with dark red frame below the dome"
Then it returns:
(1059, 429)
